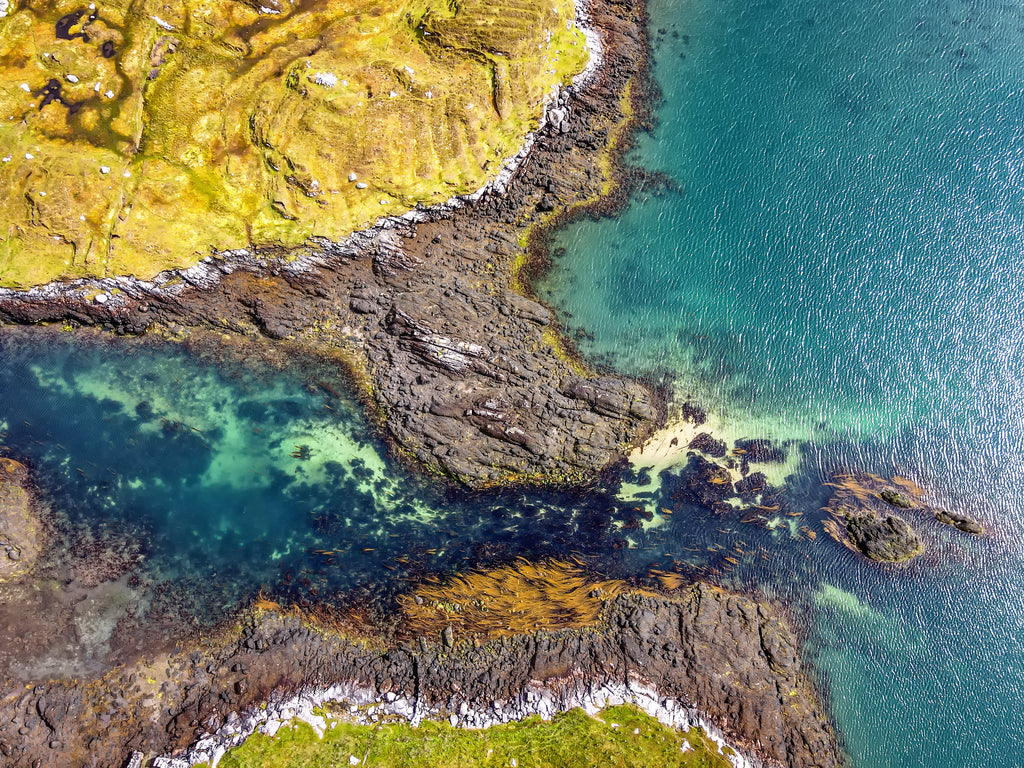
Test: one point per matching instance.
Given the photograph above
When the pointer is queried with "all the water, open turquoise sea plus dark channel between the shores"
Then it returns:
(842, 268)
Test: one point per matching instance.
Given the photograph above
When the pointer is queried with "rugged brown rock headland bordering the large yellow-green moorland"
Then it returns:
(467, 376)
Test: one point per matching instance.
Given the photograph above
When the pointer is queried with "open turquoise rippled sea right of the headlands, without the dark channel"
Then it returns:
(843, 266)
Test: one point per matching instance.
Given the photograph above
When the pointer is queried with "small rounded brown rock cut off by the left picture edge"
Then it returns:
(20, 528)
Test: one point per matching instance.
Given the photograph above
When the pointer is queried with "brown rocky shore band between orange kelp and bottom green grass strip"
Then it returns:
(727, 656)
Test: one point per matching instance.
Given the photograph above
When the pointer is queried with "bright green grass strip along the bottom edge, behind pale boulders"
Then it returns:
(618, 737)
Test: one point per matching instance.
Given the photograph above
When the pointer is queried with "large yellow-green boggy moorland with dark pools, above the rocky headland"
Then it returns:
(140, 136)
